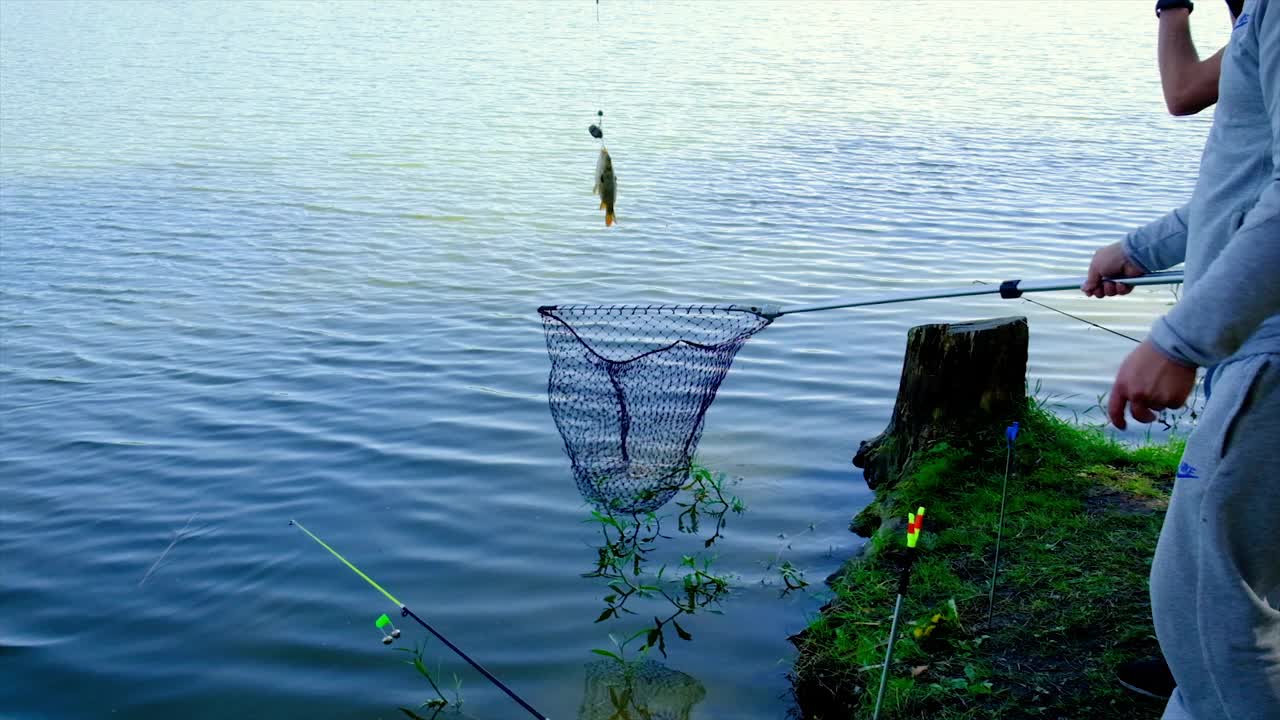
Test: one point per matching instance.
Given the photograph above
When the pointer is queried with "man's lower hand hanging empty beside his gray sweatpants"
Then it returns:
(1149, 382)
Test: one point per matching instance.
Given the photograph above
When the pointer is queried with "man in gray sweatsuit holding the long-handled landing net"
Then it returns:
(1218, 560)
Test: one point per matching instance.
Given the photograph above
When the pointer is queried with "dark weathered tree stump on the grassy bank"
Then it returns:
(957, 379)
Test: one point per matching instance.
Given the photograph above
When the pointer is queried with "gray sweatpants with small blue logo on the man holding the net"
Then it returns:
(1218, 562)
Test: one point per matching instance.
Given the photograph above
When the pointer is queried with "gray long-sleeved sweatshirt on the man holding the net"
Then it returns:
(1229, 234)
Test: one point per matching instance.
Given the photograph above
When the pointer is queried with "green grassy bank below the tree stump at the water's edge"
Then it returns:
(1081, 528)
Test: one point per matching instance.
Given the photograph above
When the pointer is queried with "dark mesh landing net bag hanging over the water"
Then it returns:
(630, 388)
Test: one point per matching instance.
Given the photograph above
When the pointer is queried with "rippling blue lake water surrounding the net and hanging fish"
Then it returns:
(282, 261)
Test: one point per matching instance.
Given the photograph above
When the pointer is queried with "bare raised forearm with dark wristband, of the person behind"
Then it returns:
(1190, 84)
